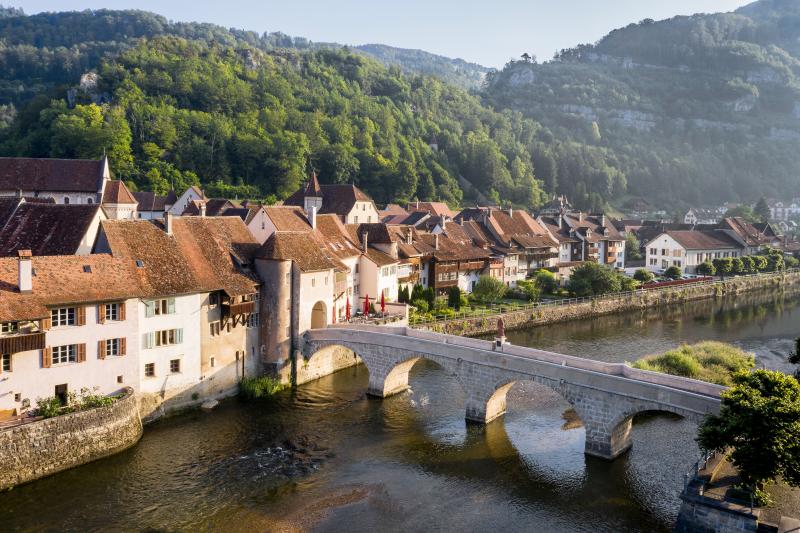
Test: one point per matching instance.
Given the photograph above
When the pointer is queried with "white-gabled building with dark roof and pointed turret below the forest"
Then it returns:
(348, 202)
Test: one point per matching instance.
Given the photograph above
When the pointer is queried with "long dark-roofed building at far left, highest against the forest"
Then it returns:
(67, 181)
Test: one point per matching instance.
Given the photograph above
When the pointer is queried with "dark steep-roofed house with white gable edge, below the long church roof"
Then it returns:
(47, 228)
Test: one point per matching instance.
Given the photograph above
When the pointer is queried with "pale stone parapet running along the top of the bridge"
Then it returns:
(615, 369)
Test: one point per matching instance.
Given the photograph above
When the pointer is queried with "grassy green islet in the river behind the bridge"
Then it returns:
(711, 361)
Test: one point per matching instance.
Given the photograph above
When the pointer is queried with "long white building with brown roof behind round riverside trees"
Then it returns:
(686, 249)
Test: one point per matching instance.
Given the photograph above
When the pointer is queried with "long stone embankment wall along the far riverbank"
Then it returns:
(591, 307)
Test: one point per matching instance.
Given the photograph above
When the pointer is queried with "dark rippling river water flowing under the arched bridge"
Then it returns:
(326, 457)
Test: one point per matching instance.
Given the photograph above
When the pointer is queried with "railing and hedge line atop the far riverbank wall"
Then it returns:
(497, 310)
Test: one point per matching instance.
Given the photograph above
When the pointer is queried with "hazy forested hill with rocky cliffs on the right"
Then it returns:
(692, 110)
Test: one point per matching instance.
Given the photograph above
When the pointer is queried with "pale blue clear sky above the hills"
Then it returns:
(489, 32)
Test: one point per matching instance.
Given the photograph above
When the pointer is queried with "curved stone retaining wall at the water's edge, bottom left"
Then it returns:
(38, 449)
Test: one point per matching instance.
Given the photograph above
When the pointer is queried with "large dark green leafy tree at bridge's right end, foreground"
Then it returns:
(759, 420)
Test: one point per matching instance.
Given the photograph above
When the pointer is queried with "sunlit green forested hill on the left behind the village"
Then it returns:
(199, 104)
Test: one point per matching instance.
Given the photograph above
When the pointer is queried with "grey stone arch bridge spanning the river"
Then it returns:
(606, 396)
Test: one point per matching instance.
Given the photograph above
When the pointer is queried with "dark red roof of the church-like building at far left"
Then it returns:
(59, 175)
